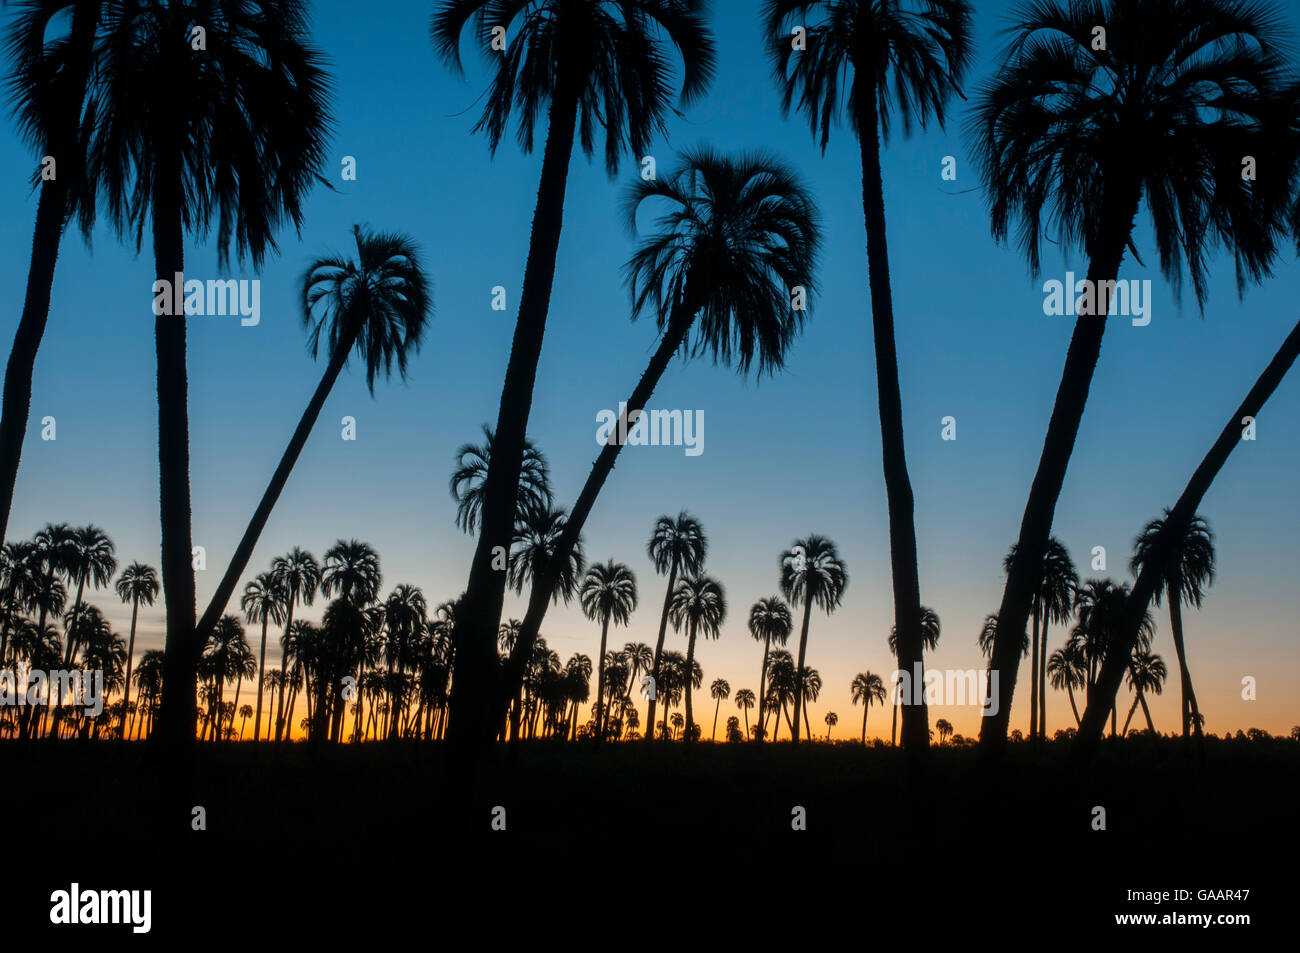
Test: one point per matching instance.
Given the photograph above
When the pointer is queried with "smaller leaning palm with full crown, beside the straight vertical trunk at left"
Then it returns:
(376, 305)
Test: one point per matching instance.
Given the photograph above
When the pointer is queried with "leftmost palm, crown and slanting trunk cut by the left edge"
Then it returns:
(49, 76)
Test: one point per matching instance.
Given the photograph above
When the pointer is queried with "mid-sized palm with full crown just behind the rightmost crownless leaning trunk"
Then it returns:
(1186, 573)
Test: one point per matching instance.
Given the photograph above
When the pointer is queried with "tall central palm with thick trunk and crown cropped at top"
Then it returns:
(596, 64)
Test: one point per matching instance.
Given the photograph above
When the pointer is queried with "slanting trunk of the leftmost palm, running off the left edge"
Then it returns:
(47, 237)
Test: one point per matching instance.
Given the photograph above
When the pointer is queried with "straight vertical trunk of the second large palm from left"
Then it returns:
(179, 714)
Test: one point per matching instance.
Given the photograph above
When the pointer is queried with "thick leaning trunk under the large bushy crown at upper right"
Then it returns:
(1119, 211)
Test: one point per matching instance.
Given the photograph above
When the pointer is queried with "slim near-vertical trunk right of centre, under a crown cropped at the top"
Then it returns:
(903, 530)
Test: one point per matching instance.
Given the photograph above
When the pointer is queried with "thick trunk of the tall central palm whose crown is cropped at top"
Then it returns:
(479, 612)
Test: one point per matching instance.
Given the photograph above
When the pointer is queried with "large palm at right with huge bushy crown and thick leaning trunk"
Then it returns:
(1080, 138)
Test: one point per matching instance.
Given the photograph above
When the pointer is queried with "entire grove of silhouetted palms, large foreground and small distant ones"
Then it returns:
(1073, 136)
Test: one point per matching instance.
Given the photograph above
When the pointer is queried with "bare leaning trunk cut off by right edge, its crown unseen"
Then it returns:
(1176, 526)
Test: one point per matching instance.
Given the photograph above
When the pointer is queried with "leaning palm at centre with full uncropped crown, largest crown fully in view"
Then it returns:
(736, 237)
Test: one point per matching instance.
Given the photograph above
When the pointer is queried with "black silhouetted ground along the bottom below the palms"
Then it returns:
(359, 838)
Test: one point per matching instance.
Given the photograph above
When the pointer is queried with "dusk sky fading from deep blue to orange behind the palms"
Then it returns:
(785, 457)
